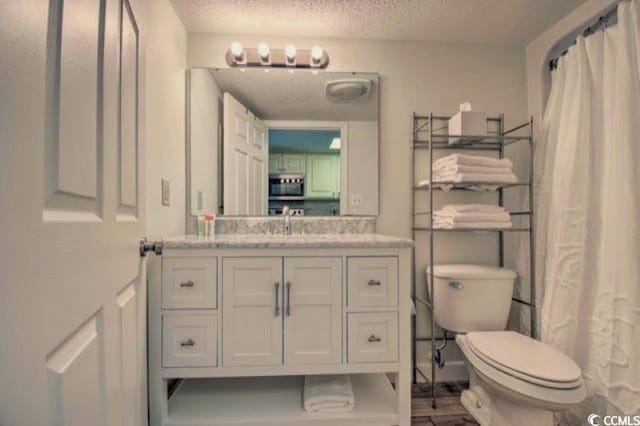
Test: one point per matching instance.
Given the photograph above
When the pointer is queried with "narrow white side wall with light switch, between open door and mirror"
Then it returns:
(165, 119)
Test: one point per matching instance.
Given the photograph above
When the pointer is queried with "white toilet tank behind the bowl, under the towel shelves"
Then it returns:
(471, 297)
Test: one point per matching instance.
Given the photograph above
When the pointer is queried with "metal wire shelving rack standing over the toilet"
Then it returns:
(435, 128)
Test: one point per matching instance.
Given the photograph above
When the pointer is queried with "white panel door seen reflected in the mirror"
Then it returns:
(246, 160)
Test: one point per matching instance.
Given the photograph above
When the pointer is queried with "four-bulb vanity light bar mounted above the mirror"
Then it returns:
(265, 57)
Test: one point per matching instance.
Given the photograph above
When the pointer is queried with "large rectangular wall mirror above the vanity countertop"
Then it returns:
(262, 140)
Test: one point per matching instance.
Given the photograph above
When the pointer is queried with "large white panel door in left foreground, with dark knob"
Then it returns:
(72, 285)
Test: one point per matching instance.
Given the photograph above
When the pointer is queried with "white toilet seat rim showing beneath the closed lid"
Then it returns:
(549, 395)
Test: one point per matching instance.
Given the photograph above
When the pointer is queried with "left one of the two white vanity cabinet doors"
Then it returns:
(251, 311)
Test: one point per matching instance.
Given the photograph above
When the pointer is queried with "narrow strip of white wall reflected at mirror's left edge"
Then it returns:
(205, 116)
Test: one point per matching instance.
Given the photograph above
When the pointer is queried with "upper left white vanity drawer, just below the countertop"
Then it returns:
(189, 283)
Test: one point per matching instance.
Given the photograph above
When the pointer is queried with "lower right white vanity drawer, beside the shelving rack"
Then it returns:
(373, 337)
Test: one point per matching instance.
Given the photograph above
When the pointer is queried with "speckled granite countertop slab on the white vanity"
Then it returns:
(287, 241)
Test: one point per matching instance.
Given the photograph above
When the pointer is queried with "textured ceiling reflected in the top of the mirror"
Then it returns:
(279, 95)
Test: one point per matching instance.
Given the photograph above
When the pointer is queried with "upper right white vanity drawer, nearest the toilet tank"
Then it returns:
(372, 281)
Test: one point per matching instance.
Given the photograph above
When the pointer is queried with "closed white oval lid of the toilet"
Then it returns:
(515, 353)
